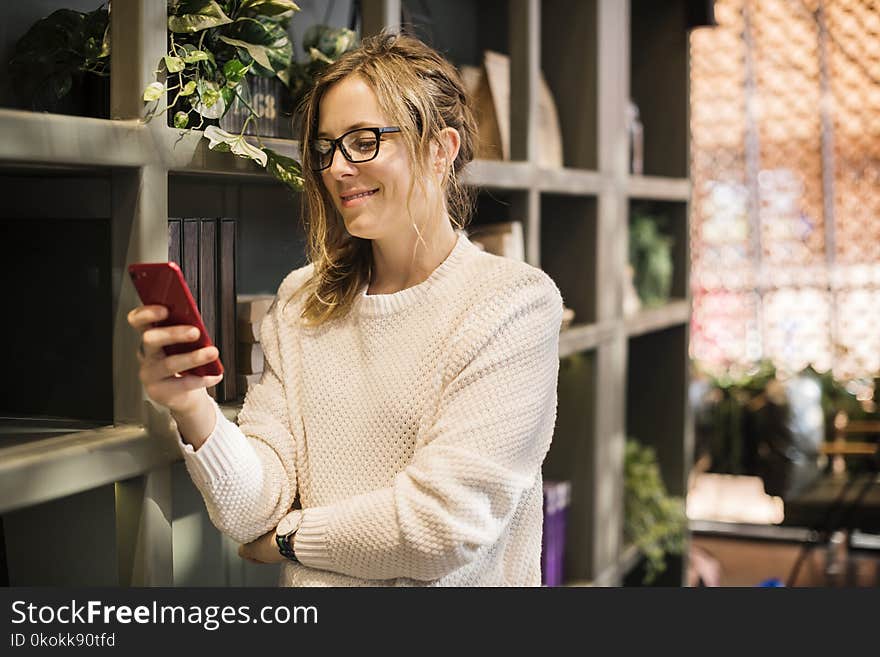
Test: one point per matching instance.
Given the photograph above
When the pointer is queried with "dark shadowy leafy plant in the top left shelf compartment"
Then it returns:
(55, 54)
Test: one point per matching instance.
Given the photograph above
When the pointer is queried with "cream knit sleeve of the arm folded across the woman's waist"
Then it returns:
(483, 448)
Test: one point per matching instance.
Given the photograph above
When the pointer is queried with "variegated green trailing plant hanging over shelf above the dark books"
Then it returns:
(212, 47)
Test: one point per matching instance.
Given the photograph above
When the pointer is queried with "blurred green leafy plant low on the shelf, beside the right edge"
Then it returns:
(653, 520)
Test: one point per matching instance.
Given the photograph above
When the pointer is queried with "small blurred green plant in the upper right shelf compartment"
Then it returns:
(650, 254)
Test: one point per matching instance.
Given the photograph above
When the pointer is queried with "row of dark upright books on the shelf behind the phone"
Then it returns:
(205, 250)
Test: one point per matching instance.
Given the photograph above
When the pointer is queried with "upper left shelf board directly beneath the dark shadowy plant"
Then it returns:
(57, 139)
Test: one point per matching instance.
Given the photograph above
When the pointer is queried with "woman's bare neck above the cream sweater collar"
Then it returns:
(407, 260)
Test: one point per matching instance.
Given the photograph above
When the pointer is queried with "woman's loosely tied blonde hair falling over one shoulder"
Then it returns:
(422, 93)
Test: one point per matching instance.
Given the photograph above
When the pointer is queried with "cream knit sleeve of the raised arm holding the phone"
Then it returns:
(247, 473)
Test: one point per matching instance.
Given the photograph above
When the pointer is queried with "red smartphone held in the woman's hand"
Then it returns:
(162, 284)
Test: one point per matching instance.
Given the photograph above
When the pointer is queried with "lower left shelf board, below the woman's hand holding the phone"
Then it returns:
(50, 468)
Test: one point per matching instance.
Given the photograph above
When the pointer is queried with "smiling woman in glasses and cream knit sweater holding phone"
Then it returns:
(409, 392)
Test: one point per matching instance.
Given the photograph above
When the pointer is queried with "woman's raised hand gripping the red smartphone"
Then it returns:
(159, 373)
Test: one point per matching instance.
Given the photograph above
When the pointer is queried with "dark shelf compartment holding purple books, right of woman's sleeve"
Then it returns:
(570, 457)
